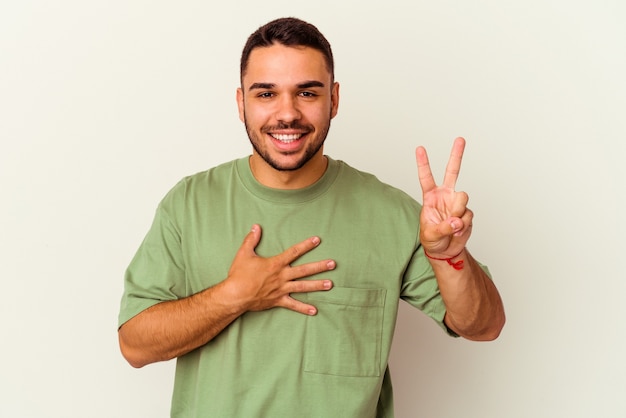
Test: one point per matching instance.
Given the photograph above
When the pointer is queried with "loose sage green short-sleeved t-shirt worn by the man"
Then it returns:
(279, 363)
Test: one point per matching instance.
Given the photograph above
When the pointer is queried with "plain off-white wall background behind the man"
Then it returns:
(104, 105)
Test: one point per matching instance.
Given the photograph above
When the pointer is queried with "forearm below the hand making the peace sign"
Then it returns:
(474, 309)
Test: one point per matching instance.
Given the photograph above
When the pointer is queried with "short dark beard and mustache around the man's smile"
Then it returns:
(311, 150)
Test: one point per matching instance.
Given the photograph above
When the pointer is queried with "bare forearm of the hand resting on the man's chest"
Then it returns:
(170, 329)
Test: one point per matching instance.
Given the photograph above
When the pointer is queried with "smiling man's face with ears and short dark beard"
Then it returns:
(286, 101)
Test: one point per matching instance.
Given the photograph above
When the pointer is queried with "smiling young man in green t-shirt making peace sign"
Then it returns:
(299, 322)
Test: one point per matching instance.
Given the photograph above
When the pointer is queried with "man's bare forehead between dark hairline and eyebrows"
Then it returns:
(280, 64)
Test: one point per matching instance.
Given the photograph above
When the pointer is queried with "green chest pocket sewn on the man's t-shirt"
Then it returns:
(345, 337)
